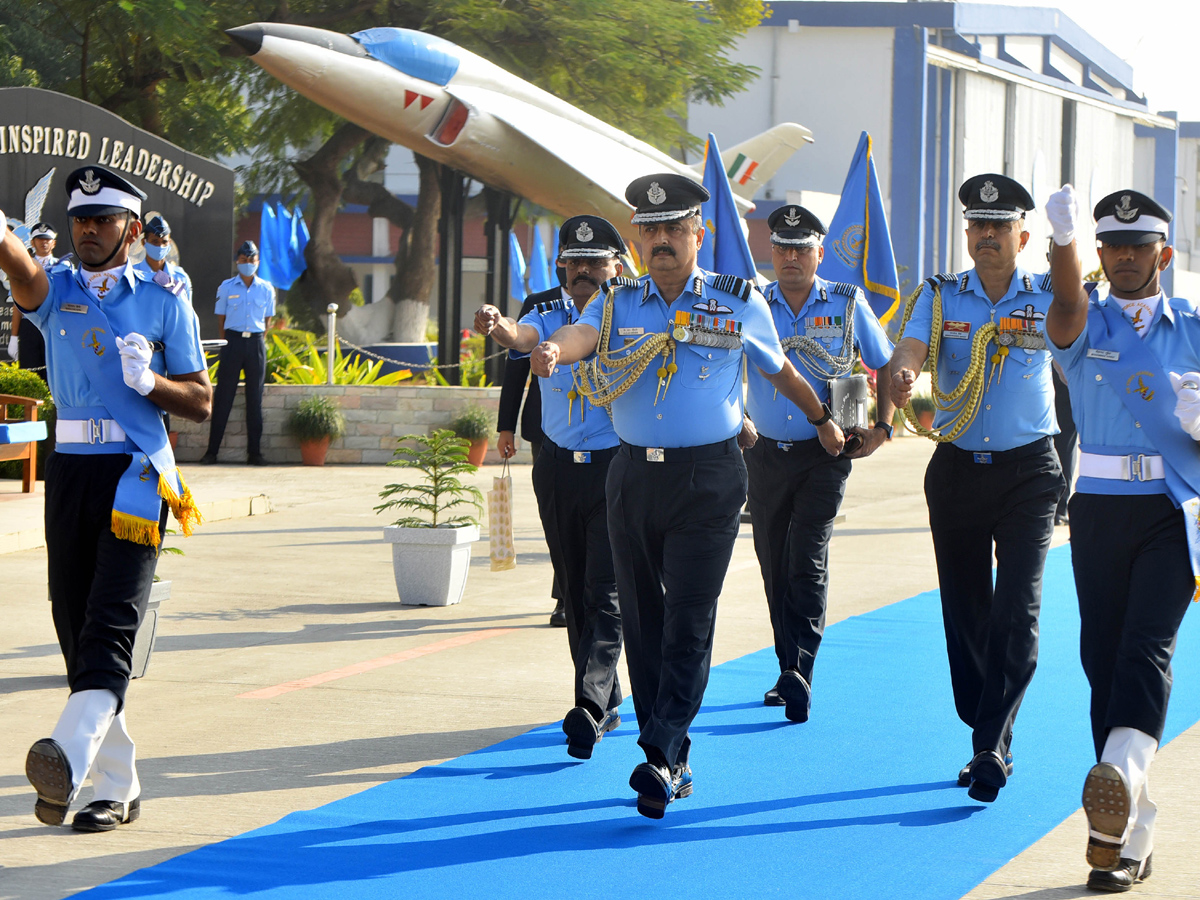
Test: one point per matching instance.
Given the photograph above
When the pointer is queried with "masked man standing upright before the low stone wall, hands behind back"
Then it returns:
(245, 307)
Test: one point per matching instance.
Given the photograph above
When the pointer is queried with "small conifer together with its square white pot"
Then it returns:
(431, 550)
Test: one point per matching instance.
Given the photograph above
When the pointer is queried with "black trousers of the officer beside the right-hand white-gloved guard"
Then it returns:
(992, 631)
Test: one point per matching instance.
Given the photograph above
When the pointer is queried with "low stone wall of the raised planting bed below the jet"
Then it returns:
(375, 418)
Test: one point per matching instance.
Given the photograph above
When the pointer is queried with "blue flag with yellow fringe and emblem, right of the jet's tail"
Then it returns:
(859, 248)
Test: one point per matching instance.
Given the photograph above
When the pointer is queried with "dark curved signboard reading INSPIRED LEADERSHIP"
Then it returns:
(46, 136)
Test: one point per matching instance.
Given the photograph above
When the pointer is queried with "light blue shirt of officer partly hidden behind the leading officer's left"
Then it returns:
(573, 425)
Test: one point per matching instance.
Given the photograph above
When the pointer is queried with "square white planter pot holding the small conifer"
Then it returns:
(431, 565)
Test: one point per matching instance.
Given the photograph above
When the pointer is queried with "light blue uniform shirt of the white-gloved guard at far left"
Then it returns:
(134, 304)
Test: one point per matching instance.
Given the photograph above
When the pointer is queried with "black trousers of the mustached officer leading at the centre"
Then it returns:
(673, 527)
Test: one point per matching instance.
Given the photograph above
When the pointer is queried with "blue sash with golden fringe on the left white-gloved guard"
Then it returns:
(152, 476)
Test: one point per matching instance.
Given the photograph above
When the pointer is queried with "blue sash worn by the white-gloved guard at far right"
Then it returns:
(1150, 400)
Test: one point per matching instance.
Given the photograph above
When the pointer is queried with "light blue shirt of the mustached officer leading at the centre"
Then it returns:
(704, 403)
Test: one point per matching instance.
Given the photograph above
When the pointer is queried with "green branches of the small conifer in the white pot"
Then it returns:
(441, 458)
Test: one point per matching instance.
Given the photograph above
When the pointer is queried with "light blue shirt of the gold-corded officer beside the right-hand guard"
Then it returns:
(1017, 409)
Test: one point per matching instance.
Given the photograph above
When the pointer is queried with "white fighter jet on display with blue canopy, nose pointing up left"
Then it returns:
(430, 95)
